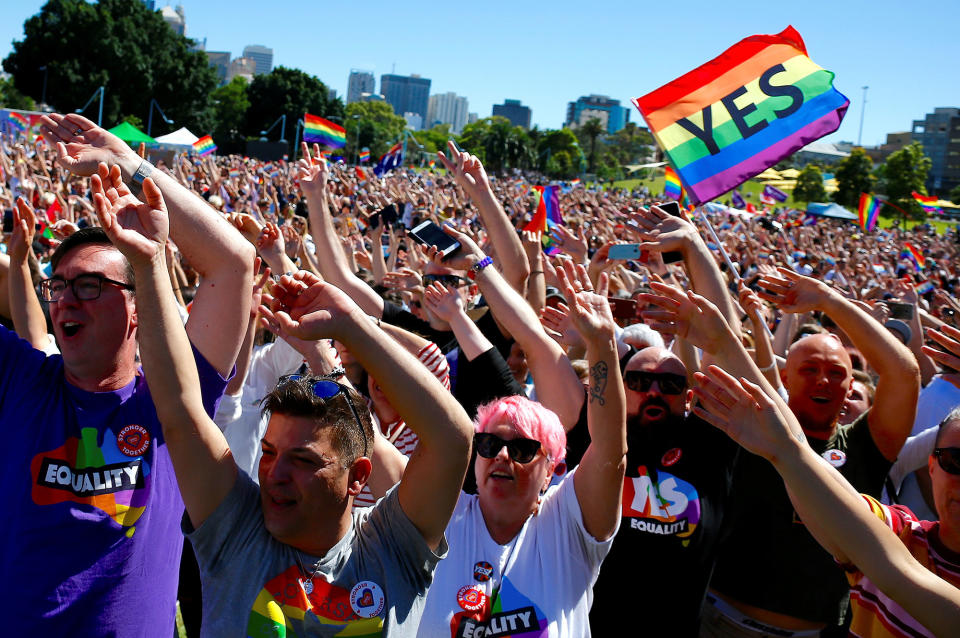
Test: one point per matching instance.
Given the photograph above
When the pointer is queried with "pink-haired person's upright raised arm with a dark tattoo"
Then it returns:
(599, 478)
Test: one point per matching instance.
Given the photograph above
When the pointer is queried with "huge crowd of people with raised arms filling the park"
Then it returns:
(245, 388)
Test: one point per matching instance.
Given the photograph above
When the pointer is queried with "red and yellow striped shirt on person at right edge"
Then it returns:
(876, 615)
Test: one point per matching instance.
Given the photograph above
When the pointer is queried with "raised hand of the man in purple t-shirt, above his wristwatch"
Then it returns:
(82, 145)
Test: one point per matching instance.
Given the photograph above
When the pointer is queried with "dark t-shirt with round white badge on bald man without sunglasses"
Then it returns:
(769, 559)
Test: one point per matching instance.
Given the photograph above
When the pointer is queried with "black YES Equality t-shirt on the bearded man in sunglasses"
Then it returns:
(676, 487)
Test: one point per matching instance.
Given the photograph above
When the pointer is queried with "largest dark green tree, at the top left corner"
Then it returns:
(117, 44)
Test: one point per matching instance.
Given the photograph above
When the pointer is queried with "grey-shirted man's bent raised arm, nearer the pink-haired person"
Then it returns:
(431, 483)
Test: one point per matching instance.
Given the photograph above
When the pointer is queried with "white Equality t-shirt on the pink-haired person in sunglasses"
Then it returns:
(539, 584)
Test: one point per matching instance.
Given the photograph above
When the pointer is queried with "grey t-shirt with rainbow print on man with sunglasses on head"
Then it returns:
(373, 582)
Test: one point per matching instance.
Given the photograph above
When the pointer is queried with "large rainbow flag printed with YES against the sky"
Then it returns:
(740, 113)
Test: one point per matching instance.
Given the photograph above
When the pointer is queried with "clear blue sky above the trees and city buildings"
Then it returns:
(549, 53)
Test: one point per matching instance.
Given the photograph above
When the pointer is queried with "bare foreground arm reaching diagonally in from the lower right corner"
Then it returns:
(844, 523)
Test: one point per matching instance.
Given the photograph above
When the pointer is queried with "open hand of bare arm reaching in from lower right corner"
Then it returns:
(744, 412)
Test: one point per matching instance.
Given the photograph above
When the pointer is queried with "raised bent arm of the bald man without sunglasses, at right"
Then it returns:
(898, 386)
